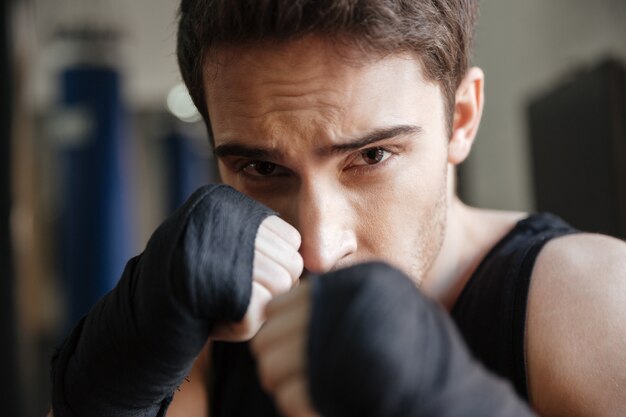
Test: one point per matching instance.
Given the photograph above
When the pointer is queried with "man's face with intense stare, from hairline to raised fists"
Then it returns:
(352, 155)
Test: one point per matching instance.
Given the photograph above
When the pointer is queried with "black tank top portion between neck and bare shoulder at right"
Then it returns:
(491, 310)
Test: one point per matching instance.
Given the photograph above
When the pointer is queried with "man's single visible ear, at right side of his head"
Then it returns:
(468, 110)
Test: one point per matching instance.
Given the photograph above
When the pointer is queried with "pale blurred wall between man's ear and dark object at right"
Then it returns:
(524, 46)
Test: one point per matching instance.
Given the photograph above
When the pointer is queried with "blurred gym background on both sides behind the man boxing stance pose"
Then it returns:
(98, 143)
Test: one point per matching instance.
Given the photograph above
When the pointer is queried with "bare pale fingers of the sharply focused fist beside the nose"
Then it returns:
(276, 269)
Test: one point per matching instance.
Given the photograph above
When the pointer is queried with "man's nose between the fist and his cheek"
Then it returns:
(325, 221)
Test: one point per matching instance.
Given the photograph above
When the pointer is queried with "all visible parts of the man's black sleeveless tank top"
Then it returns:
(490, 313)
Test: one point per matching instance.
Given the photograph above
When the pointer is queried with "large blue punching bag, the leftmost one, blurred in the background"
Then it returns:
(96, 232)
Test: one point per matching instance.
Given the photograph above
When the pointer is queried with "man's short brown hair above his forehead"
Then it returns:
(438, 32)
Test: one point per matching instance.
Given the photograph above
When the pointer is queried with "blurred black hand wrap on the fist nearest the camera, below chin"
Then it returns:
(378, 347)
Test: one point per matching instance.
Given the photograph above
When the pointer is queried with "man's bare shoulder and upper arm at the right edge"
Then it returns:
(576, 330)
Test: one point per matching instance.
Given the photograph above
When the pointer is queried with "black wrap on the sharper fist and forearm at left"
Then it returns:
(132, 350)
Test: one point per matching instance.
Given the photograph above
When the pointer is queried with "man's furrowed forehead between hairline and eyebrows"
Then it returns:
(304, 89)
